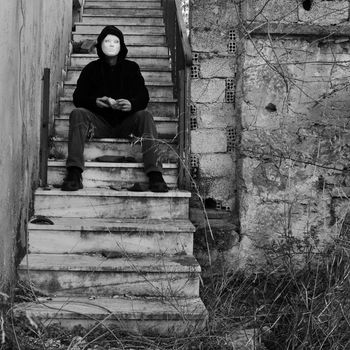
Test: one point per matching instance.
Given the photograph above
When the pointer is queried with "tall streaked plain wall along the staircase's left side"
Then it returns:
(34, 35)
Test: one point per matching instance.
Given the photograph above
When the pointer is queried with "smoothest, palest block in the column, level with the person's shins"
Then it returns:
(208, 141)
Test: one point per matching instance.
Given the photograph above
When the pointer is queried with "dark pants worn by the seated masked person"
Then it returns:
(83, 122)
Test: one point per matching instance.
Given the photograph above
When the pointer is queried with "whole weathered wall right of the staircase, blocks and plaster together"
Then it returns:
(276, 155)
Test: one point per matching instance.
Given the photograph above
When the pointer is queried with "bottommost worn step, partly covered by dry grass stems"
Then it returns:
(167, 317)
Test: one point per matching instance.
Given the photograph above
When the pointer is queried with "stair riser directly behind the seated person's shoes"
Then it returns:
(105, 177)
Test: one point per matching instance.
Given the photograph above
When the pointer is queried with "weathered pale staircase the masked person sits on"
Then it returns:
(113, 256)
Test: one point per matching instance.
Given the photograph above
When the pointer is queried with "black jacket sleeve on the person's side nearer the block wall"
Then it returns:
(139, 96)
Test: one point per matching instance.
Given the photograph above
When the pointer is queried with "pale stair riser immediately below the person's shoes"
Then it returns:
(112, 207)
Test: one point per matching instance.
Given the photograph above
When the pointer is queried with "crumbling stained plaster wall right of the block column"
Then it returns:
(295, 121)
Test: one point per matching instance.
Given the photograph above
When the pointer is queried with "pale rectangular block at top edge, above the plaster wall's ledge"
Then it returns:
(273, 10)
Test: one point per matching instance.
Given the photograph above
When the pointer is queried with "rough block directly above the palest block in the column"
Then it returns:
(215, 115)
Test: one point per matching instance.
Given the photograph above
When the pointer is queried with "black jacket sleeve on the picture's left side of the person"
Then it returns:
(85, 93)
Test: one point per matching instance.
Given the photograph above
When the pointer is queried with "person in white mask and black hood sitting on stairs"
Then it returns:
(111, 98)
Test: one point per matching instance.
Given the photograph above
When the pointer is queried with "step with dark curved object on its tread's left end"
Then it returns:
(76, 235)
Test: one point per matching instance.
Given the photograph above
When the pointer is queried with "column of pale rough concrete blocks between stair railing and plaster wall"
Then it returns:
(213, 27)
